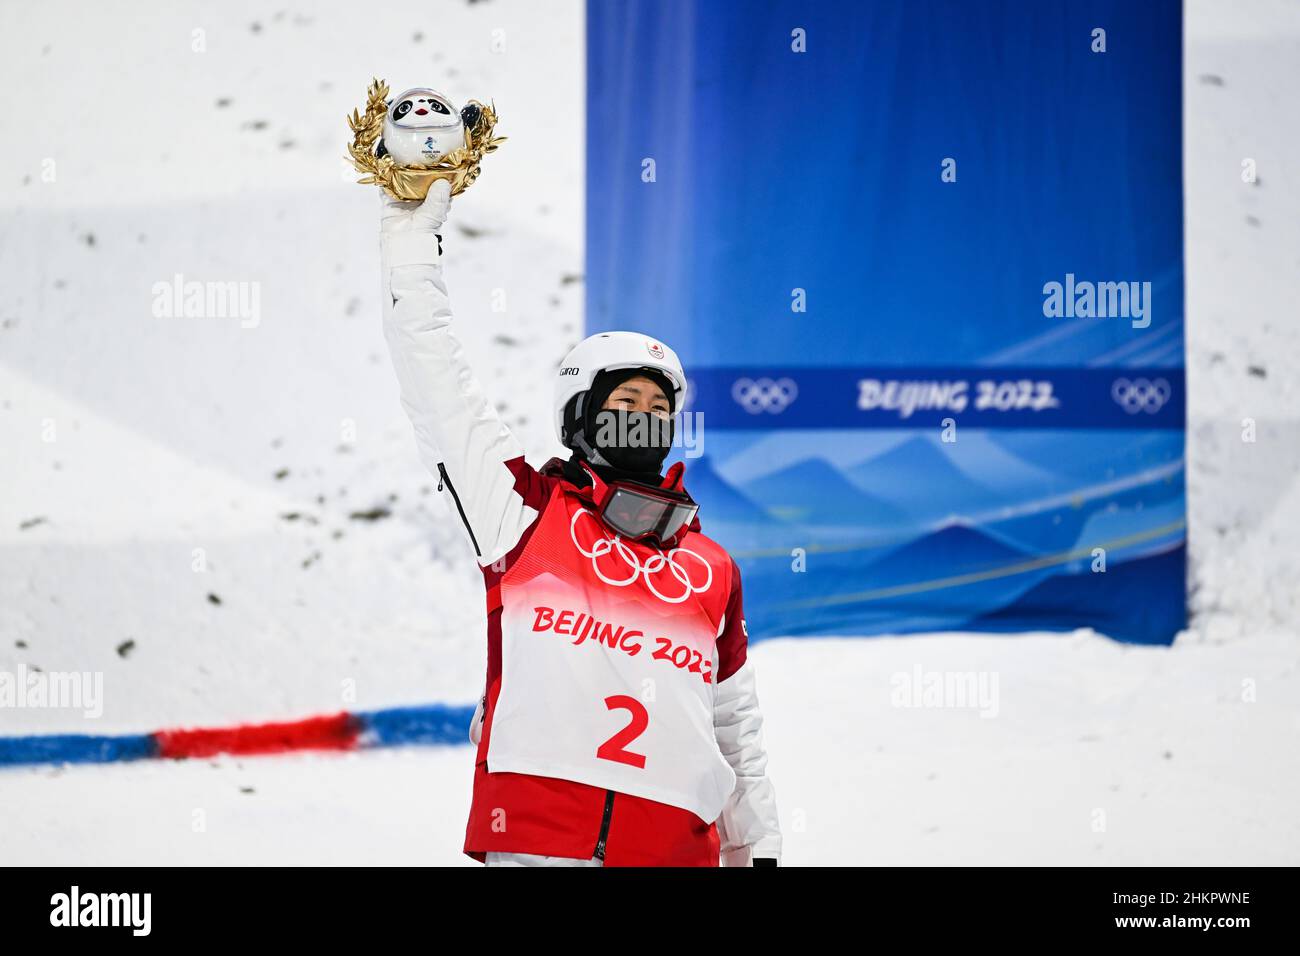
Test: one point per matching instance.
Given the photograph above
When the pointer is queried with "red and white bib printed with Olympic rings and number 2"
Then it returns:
(609, 659)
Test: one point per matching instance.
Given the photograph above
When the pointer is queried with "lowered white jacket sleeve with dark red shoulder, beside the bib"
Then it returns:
(749, 828)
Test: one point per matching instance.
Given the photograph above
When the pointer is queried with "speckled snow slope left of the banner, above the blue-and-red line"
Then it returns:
(144, 448)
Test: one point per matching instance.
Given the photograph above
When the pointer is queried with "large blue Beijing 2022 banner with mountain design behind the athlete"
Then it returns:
(924, 263)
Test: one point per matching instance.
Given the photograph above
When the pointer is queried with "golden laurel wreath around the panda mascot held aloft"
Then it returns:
(460, 167)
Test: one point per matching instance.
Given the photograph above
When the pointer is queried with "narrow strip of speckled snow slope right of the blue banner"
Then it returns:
(1242, 67)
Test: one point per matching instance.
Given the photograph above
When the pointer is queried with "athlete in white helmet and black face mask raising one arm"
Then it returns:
(619, 724)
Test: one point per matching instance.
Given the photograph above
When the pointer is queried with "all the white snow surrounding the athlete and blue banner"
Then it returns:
(140, 449)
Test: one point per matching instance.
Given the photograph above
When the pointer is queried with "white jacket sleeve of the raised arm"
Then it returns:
(460, 435)
